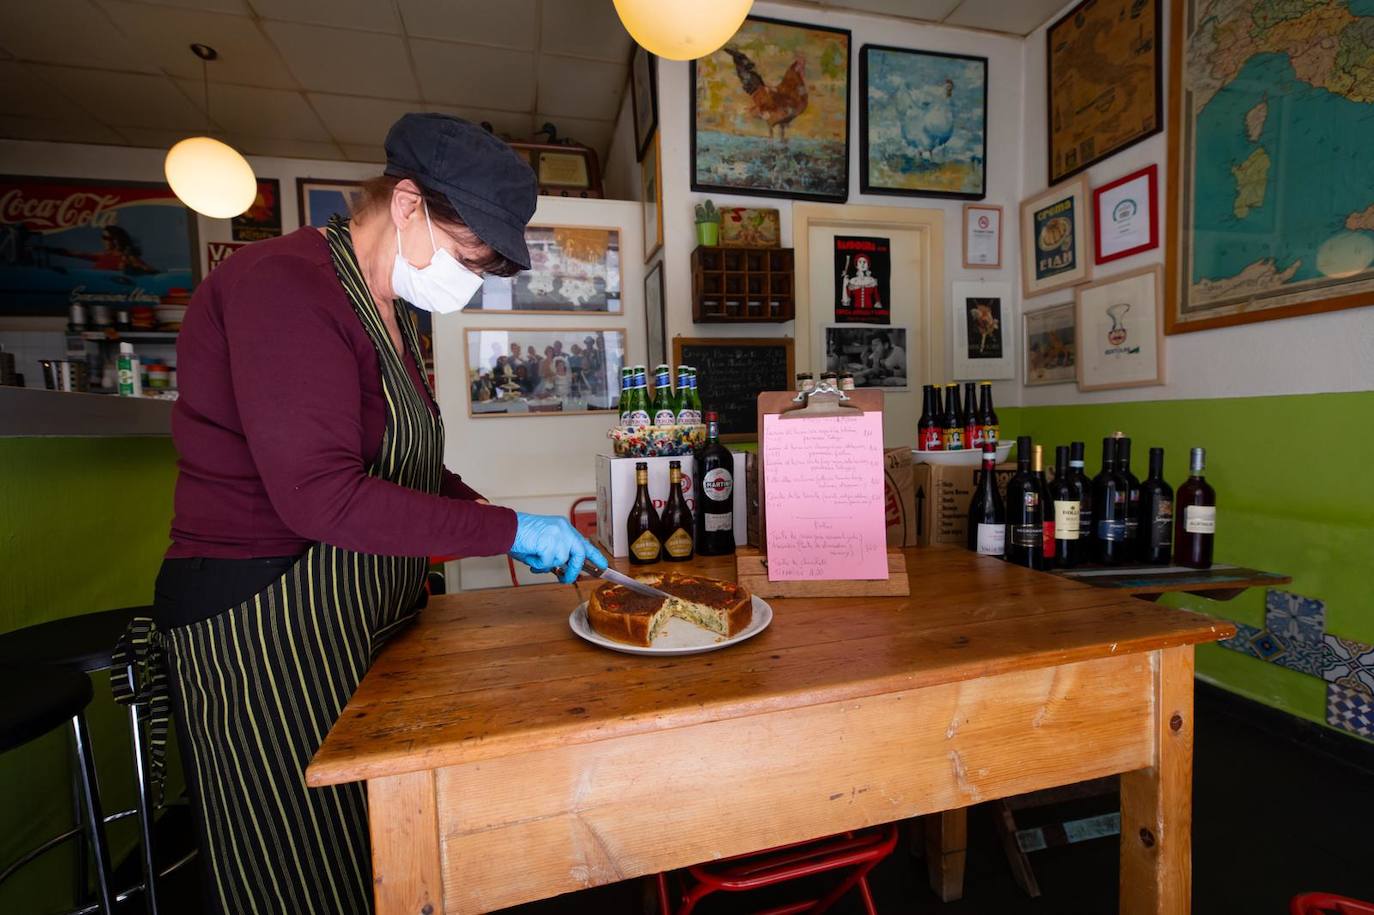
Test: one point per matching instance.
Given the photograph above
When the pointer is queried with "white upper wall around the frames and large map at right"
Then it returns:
(1332, 352)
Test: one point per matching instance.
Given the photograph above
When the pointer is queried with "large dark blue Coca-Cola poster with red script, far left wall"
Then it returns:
(75, 241)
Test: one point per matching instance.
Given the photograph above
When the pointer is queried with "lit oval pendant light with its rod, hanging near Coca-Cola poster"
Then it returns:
(210, 177)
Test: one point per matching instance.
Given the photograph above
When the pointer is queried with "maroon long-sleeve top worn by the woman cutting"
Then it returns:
(281, 413)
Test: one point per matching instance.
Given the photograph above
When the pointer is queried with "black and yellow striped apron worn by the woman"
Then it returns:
(260, 685)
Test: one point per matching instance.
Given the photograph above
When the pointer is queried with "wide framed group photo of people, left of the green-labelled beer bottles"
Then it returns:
(538, 372)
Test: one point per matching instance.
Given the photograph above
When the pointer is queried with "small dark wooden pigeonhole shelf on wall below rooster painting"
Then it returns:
(743, 285)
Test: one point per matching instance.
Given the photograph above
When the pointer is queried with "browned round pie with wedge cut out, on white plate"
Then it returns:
(618, 613)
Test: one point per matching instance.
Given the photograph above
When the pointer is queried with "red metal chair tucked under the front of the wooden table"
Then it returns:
(859, 851)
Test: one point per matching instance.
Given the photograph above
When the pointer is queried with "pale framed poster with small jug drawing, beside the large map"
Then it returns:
(1120, 332)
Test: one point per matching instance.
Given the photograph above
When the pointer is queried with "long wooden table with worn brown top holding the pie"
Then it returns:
(506, 760)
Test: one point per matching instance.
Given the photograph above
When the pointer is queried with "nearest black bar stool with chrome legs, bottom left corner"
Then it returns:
(39, 700)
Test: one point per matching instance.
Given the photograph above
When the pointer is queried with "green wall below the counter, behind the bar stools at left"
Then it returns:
(83, 528)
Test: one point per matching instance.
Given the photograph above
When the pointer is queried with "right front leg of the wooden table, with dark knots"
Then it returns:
(1158, 803)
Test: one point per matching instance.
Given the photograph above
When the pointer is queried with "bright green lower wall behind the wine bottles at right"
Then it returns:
(1294, 497)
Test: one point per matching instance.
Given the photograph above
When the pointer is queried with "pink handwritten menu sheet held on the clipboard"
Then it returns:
(824, 490)
